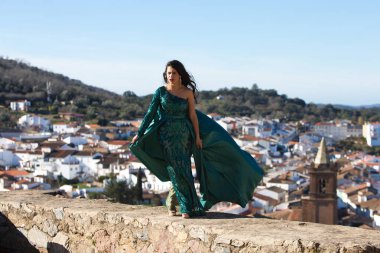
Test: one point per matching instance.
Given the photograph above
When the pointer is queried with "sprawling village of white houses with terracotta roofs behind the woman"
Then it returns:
(77, 158)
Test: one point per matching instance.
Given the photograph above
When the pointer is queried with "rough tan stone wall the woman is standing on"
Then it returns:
(54, 224)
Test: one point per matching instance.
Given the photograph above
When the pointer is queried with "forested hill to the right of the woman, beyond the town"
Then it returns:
(268, 103)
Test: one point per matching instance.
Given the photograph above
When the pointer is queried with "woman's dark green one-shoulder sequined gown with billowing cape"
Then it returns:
(166, 143)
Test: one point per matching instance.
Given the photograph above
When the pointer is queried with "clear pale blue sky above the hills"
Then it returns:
(320, 51)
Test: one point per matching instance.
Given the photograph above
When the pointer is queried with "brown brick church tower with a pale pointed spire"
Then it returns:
(321, 204)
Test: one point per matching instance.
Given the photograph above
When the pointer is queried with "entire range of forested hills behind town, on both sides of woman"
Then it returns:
(19, 80)
